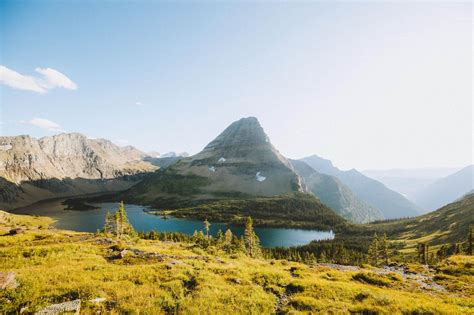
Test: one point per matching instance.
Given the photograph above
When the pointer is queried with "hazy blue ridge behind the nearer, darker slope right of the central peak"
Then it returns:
(390, 203)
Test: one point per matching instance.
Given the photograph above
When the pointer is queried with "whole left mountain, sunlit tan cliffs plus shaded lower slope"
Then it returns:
(63, 165)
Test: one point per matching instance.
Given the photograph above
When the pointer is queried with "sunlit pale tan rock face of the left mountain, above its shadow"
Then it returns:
(66, 156)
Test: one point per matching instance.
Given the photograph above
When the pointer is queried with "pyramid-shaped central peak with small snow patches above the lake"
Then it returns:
(240, 162)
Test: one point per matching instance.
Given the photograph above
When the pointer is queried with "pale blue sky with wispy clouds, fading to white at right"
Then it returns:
(368, 85)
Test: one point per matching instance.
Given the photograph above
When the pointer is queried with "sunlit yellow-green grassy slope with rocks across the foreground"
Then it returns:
(103, 275)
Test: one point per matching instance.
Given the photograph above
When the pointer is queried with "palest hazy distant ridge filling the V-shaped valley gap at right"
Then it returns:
(409, 182)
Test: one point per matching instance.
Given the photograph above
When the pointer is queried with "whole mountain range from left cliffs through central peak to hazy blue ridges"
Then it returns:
(240, 164)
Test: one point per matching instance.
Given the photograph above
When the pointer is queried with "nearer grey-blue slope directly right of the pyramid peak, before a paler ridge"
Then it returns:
(332, 192)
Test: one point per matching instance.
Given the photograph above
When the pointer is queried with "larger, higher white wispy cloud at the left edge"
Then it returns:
(48, 79)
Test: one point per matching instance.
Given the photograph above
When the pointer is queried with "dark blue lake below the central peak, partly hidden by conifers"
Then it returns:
(92, 220)
